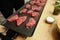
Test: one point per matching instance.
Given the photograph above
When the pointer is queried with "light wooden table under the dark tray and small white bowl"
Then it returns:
(44, 30)
